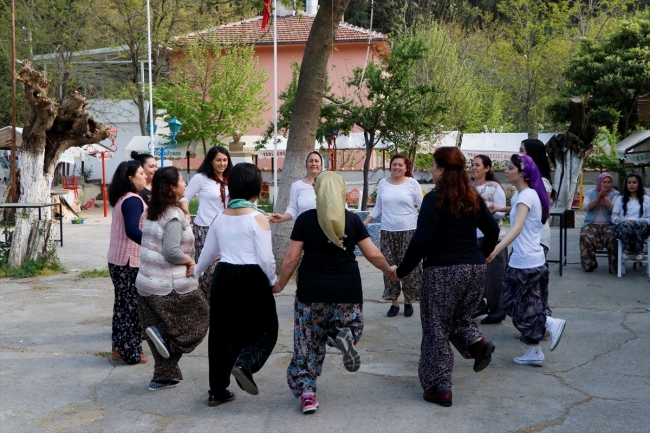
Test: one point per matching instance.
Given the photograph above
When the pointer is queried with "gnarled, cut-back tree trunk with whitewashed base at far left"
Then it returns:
(51, 130)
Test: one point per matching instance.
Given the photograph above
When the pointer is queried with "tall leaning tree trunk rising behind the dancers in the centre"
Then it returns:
(304, 120)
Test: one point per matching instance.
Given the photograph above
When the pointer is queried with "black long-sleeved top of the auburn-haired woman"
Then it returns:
(444, 240)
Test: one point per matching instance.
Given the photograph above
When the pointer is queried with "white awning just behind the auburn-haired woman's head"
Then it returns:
(498, 147)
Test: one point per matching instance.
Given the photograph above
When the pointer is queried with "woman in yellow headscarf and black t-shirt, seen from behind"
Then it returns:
(329, 299)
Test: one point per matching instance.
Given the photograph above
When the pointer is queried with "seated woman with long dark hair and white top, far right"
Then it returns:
(631, 214)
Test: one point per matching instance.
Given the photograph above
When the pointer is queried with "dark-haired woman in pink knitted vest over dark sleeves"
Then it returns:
(124, 259)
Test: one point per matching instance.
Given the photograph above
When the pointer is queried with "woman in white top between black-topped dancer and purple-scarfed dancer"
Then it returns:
(493, 194)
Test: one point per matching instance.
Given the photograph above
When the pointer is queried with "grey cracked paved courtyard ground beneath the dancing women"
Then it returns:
(56, 374)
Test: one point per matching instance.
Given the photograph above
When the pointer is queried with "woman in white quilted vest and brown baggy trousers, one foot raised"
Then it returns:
(174, 312)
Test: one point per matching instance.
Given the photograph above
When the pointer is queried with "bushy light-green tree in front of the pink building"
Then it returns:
(213, 89)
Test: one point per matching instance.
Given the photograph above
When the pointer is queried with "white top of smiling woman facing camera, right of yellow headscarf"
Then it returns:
(396, 204)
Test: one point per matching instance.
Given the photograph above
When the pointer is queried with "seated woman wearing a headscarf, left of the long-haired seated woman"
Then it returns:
(597, 232)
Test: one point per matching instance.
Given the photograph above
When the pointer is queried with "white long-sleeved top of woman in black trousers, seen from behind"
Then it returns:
(241, 241)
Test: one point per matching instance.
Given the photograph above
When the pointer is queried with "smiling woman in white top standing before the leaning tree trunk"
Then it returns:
(302, 196)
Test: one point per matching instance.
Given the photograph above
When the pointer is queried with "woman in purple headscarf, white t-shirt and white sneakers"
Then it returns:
(526, 277)
